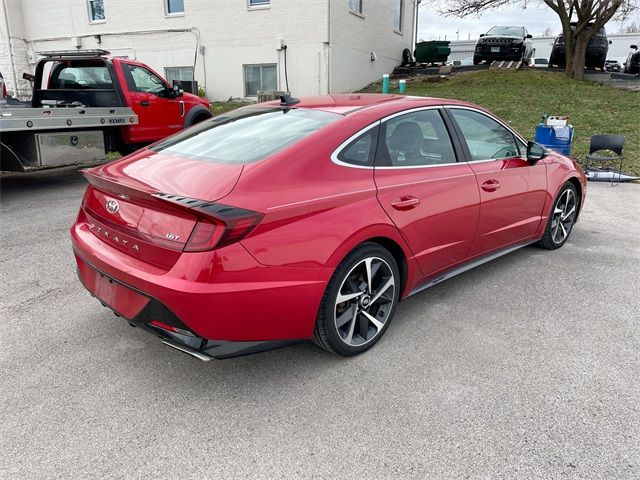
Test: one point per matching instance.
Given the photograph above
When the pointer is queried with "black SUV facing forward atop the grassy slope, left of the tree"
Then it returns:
(504, 43)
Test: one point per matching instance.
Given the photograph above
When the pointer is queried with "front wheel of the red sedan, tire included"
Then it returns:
(561, 219)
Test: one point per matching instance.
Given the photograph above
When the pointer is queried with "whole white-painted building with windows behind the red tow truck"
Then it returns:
(231, 47)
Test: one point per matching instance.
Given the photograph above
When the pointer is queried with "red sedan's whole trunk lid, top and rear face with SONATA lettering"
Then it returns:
(123, 209)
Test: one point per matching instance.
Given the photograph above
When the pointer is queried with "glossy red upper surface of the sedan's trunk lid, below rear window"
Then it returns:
(156, 172)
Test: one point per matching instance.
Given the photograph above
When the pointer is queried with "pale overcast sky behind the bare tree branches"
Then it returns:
(537, 17)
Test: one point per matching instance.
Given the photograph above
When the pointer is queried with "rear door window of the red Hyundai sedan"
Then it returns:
(415, 139)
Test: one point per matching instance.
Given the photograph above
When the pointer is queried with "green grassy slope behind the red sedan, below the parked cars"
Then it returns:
(520, 97)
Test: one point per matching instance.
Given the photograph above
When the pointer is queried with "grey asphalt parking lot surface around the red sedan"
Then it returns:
(527, 367)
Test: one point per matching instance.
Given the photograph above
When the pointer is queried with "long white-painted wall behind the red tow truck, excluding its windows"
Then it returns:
(232, 33)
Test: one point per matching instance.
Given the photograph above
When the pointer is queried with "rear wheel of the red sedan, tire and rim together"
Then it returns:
(359, 302)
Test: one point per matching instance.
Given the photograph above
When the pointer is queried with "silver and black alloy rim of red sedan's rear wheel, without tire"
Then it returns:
(364, 302)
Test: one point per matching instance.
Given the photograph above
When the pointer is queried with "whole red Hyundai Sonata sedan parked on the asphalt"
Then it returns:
(311, 219)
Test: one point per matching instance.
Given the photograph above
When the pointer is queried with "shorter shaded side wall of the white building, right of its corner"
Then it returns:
(354, 38)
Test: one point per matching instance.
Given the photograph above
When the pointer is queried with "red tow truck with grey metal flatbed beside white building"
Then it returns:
(86, 103)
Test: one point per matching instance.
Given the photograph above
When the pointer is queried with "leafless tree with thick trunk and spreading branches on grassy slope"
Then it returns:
(580, 19)
